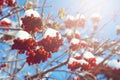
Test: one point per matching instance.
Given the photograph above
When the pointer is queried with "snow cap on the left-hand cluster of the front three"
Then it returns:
(22, 35)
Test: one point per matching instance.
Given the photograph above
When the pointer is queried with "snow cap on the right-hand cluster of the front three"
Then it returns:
(51, 32)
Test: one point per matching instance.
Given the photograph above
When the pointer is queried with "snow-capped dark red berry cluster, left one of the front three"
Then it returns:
(23, 41)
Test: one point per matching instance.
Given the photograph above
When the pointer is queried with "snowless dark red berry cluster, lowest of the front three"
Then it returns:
(35, 57)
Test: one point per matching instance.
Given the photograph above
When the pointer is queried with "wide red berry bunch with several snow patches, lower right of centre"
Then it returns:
(82, 62)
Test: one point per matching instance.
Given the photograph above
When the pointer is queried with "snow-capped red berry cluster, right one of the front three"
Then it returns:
(51, 40)
